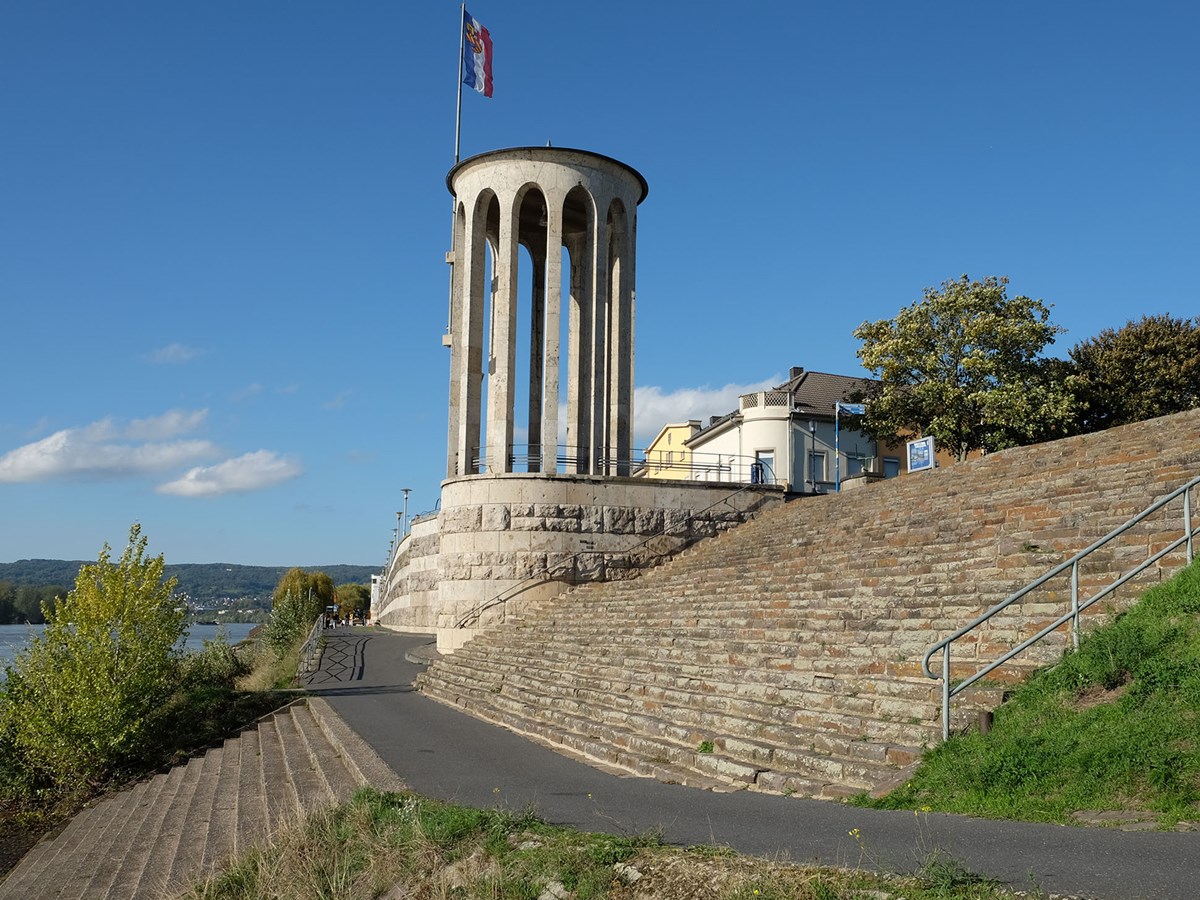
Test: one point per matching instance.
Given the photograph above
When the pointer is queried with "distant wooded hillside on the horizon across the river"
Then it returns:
(202, 581)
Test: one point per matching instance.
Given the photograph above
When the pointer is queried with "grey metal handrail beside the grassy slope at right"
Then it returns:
(1077, 607)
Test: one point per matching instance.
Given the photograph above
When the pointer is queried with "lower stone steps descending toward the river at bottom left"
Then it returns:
(159, 837)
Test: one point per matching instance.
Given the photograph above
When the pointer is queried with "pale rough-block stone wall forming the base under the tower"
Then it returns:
(520, 538)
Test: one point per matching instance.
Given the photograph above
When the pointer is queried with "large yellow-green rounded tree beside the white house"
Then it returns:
(963, 365)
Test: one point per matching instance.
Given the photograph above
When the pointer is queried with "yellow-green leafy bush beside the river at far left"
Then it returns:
(85, 697)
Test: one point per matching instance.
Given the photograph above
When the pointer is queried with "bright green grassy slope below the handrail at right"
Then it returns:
(1113, 727)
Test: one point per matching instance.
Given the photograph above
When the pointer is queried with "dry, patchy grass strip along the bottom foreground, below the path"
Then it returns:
(403, 845)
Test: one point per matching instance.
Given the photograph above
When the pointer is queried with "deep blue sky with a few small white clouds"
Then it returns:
(223, 225)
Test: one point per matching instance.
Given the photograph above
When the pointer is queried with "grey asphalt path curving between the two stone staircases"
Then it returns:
(446, 754)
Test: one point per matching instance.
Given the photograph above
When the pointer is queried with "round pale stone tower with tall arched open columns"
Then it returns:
(545, 200)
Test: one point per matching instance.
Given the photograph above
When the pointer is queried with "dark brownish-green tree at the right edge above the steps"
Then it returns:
(1141, 371)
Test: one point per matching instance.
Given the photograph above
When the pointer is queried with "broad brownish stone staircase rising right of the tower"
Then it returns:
(785, 655)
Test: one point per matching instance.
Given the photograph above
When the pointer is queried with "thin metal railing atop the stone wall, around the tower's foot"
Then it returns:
(683, 465)
